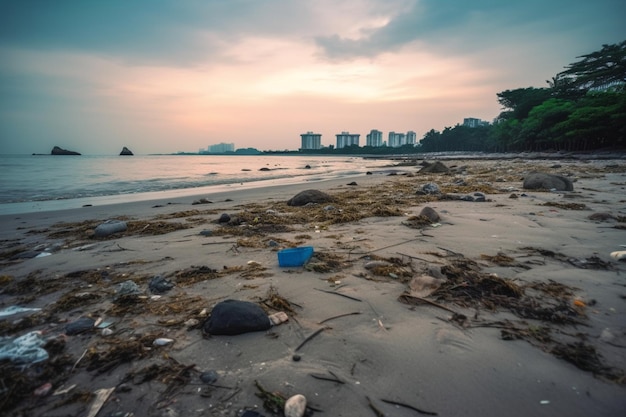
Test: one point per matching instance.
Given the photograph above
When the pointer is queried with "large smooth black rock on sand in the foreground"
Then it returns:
(232, 317)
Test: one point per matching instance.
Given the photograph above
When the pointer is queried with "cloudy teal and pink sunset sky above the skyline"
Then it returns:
(164, 76)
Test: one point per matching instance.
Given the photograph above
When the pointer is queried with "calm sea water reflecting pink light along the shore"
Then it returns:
(32, 183)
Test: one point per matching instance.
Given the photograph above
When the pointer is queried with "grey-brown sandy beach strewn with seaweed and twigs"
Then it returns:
(472, 347)
